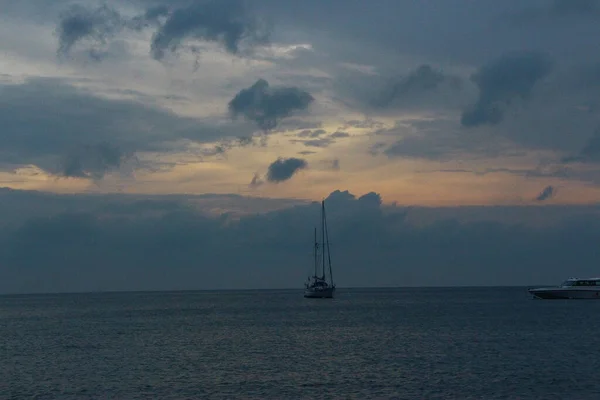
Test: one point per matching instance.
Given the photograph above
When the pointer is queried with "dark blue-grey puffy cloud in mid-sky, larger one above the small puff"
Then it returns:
(266, 106)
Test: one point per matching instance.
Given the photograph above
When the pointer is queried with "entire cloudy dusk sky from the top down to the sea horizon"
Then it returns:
(459, 139)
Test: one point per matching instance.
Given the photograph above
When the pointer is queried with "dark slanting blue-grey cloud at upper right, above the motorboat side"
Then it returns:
(503, 80)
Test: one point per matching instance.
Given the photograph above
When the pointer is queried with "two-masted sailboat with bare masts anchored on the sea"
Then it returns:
(317, 285)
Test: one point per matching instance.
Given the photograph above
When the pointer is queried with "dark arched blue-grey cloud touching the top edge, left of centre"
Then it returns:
(225, 21)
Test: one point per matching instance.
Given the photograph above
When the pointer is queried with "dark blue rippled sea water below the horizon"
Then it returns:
(431, 343)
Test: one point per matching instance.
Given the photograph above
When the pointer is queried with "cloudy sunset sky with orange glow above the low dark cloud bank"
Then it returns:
(425, 103)
